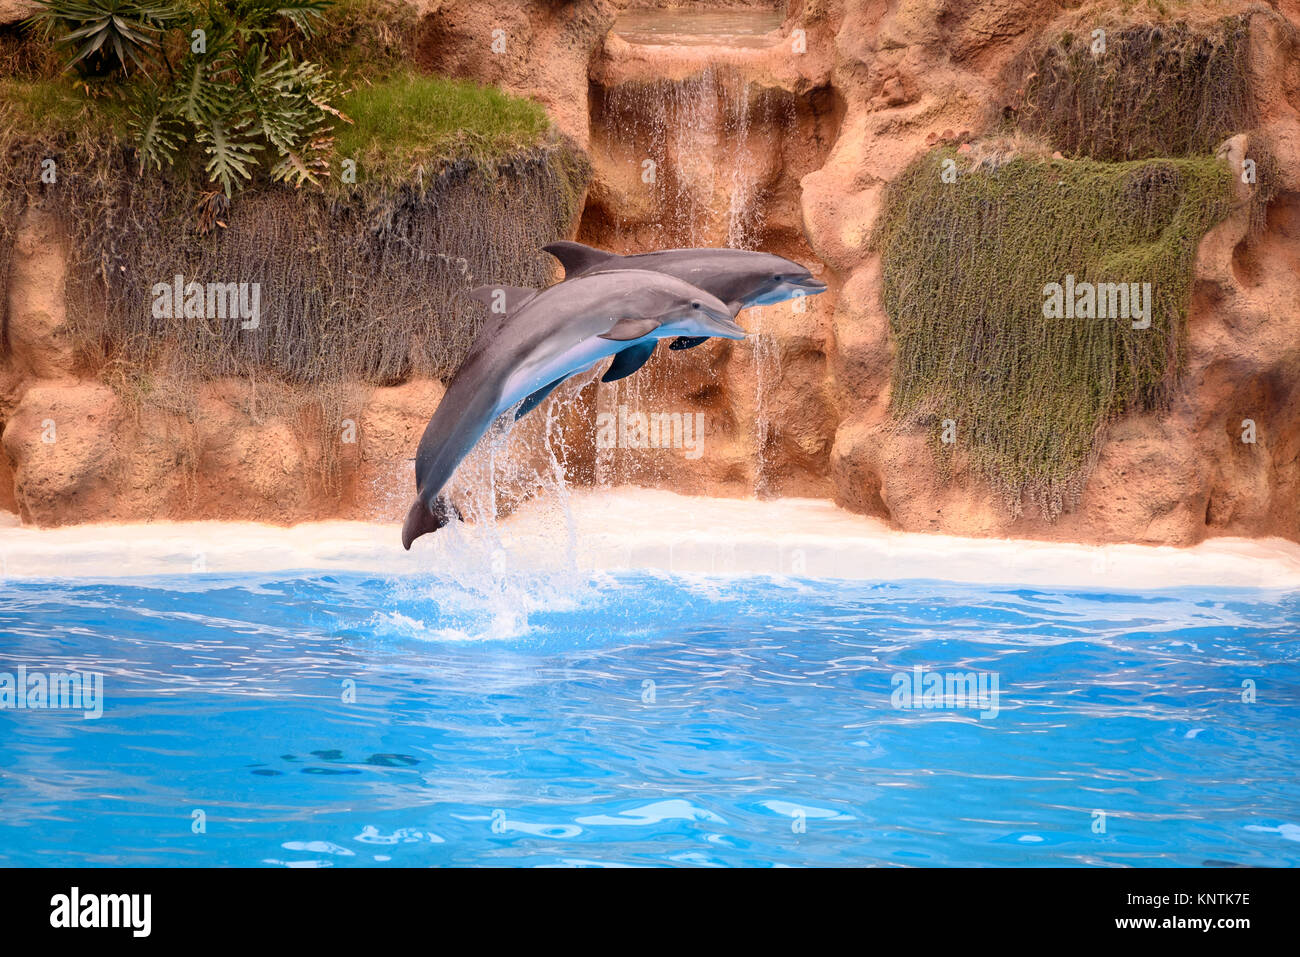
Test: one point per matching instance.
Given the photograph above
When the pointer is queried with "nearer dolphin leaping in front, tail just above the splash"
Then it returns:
(532, 343)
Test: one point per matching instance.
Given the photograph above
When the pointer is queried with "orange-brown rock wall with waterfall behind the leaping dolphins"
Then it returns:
(808, 129)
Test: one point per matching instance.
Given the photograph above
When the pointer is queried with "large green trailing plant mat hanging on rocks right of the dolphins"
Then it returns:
(965, 270)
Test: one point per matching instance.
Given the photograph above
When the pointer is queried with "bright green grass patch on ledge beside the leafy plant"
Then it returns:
(411, 122)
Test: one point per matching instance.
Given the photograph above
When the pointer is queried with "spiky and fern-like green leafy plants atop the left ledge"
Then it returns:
(219, 79)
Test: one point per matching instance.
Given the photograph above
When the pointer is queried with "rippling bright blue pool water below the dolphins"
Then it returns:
(648, 720)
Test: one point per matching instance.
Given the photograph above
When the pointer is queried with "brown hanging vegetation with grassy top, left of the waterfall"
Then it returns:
(437, 187)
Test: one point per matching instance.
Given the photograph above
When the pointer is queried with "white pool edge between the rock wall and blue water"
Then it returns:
(649, 530)
